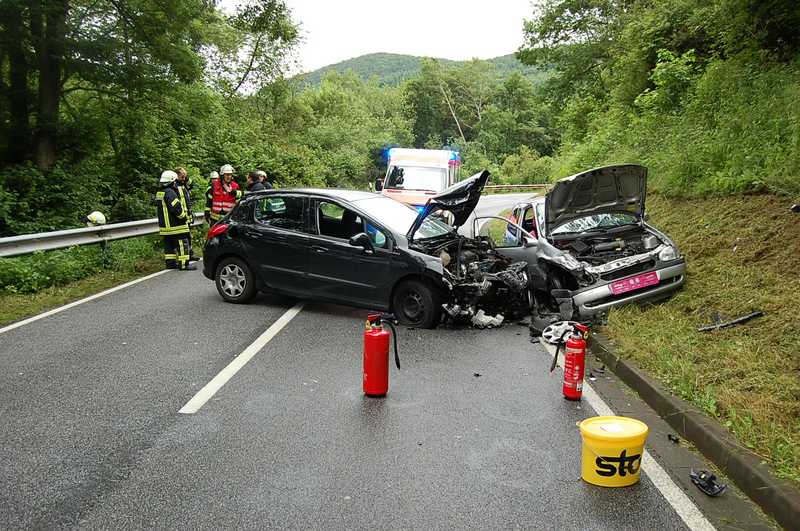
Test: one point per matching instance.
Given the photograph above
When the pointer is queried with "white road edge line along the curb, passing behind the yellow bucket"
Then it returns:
(685, 507)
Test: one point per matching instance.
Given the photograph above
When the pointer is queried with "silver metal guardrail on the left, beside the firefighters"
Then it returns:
(60, 239)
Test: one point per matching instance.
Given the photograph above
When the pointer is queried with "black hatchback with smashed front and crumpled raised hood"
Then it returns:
(361, 249)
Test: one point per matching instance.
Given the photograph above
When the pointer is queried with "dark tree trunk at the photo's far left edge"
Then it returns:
(18, 95)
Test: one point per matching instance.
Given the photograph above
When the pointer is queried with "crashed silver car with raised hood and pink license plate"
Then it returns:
(588, 245)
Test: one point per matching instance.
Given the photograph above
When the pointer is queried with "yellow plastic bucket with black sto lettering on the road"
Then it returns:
(612, 450)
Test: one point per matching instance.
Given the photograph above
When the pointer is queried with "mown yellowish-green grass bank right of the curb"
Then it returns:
(743, 254)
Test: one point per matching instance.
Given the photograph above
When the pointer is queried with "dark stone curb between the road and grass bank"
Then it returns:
(777, 498)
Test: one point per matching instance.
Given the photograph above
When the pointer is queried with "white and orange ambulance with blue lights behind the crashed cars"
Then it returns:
(415, 175)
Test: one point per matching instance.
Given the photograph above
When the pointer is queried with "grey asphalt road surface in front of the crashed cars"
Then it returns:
(473, 434)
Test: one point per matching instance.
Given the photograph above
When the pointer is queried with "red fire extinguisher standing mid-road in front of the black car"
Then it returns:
(376, 354)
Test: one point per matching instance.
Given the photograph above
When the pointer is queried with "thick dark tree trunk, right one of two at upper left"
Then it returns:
(51, 56)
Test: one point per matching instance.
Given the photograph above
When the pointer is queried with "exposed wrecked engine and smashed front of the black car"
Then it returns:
(482, 282)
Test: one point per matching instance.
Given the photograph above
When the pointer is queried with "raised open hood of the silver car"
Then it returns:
(619, 188)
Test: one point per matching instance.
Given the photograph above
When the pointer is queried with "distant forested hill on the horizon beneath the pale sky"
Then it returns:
(391, 69)
